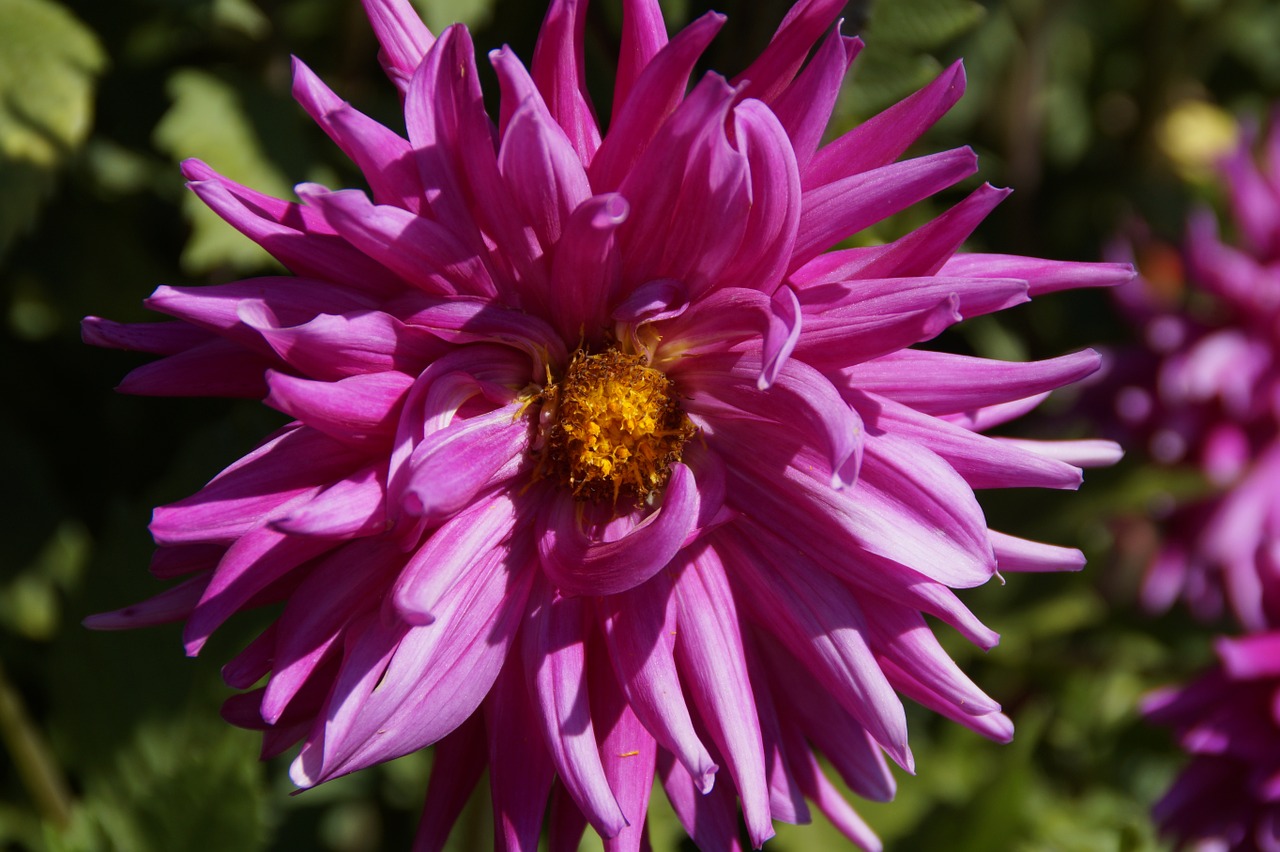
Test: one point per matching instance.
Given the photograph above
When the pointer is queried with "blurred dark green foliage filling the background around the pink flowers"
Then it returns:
(100, 103)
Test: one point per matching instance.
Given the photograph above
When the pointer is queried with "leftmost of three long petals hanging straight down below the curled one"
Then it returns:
(555, 667)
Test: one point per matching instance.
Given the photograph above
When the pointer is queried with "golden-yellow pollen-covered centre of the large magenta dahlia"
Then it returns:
(612, 427)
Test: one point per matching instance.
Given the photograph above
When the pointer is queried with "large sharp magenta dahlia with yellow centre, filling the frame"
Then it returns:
(601, 465)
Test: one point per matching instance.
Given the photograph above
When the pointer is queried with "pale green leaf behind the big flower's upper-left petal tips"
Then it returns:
(209, 121)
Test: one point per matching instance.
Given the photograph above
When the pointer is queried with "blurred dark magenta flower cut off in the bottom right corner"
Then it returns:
(1228, 800)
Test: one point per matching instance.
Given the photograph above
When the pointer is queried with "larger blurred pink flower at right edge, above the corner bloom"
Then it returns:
(1208, 393)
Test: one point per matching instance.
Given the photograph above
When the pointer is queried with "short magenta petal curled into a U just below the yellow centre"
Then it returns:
(582, 566)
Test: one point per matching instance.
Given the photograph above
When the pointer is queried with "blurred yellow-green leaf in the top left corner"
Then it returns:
(49, 62)
